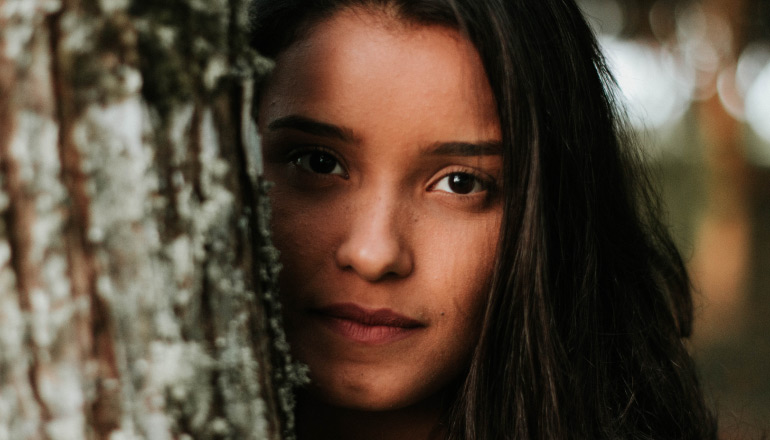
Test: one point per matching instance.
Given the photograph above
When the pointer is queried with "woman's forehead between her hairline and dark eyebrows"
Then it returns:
(355, 60)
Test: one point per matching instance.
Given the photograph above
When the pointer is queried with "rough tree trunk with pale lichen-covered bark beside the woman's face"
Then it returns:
(136, 272)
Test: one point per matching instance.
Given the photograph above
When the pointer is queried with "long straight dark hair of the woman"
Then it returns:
(590, 300)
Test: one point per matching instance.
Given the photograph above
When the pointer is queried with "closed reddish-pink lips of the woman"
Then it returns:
(367, 326)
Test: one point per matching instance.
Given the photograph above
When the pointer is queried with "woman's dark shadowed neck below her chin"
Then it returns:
(317, 420)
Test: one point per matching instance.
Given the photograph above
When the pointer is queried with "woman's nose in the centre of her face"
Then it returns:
(375, 245)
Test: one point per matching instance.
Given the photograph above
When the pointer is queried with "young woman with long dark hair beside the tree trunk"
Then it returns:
(470, 249)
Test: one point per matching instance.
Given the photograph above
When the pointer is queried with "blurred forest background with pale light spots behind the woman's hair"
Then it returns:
(695, 76)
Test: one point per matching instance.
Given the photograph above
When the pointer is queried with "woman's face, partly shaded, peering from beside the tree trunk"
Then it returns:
(384, 145)
